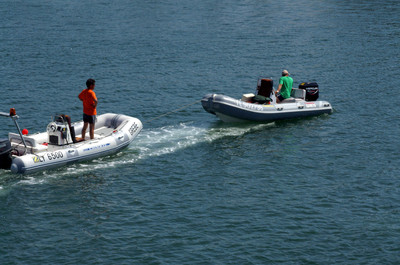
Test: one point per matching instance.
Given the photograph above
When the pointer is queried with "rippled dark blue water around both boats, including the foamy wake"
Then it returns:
(191, 189)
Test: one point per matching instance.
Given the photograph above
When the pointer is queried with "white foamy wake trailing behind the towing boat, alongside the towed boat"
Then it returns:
(149, 143)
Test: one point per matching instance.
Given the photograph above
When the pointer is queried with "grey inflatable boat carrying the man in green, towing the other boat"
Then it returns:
(263, 107)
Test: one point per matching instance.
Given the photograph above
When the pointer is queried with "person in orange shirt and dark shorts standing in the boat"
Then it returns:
(89, 99)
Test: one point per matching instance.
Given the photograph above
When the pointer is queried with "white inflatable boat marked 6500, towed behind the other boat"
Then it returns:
(22, 153)
